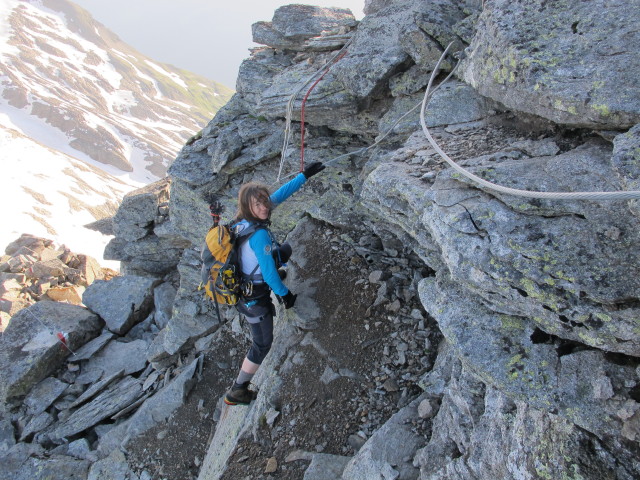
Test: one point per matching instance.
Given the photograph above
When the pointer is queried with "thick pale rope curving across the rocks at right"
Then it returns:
(620, 195)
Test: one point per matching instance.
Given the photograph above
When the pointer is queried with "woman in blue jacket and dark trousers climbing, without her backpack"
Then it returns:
(261, 259)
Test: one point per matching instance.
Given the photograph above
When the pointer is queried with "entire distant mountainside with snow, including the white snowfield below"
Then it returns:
(74, 97)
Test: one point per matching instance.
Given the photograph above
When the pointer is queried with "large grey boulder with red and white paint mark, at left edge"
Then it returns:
(30, 349)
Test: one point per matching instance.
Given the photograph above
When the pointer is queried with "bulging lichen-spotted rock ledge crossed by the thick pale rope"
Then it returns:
(550, 270)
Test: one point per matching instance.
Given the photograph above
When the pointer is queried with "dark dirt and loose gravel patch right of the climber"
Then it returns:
(333, 394)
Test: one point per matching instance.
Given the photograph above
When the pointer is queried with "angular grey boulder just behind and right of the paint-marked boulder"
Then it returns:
(121, 302)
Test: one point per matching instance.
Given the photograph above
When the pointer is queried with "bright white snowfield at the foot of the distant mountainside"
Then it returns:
(58, 213)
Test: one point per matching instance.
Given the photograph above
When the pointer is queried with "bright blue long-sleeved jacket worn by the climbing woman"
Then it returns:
(258, 250)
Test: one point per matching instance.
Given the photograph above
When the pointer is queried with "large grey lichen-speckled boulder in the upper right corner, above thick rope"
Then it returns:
(582, 73)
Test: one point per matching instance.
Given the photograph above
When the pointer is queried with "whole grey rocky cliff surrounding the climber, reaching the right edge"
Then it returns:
(442, 330)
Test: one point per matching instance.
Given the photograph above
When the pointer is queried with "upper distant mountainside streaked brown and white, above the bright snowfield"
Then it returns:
(115, 105)
